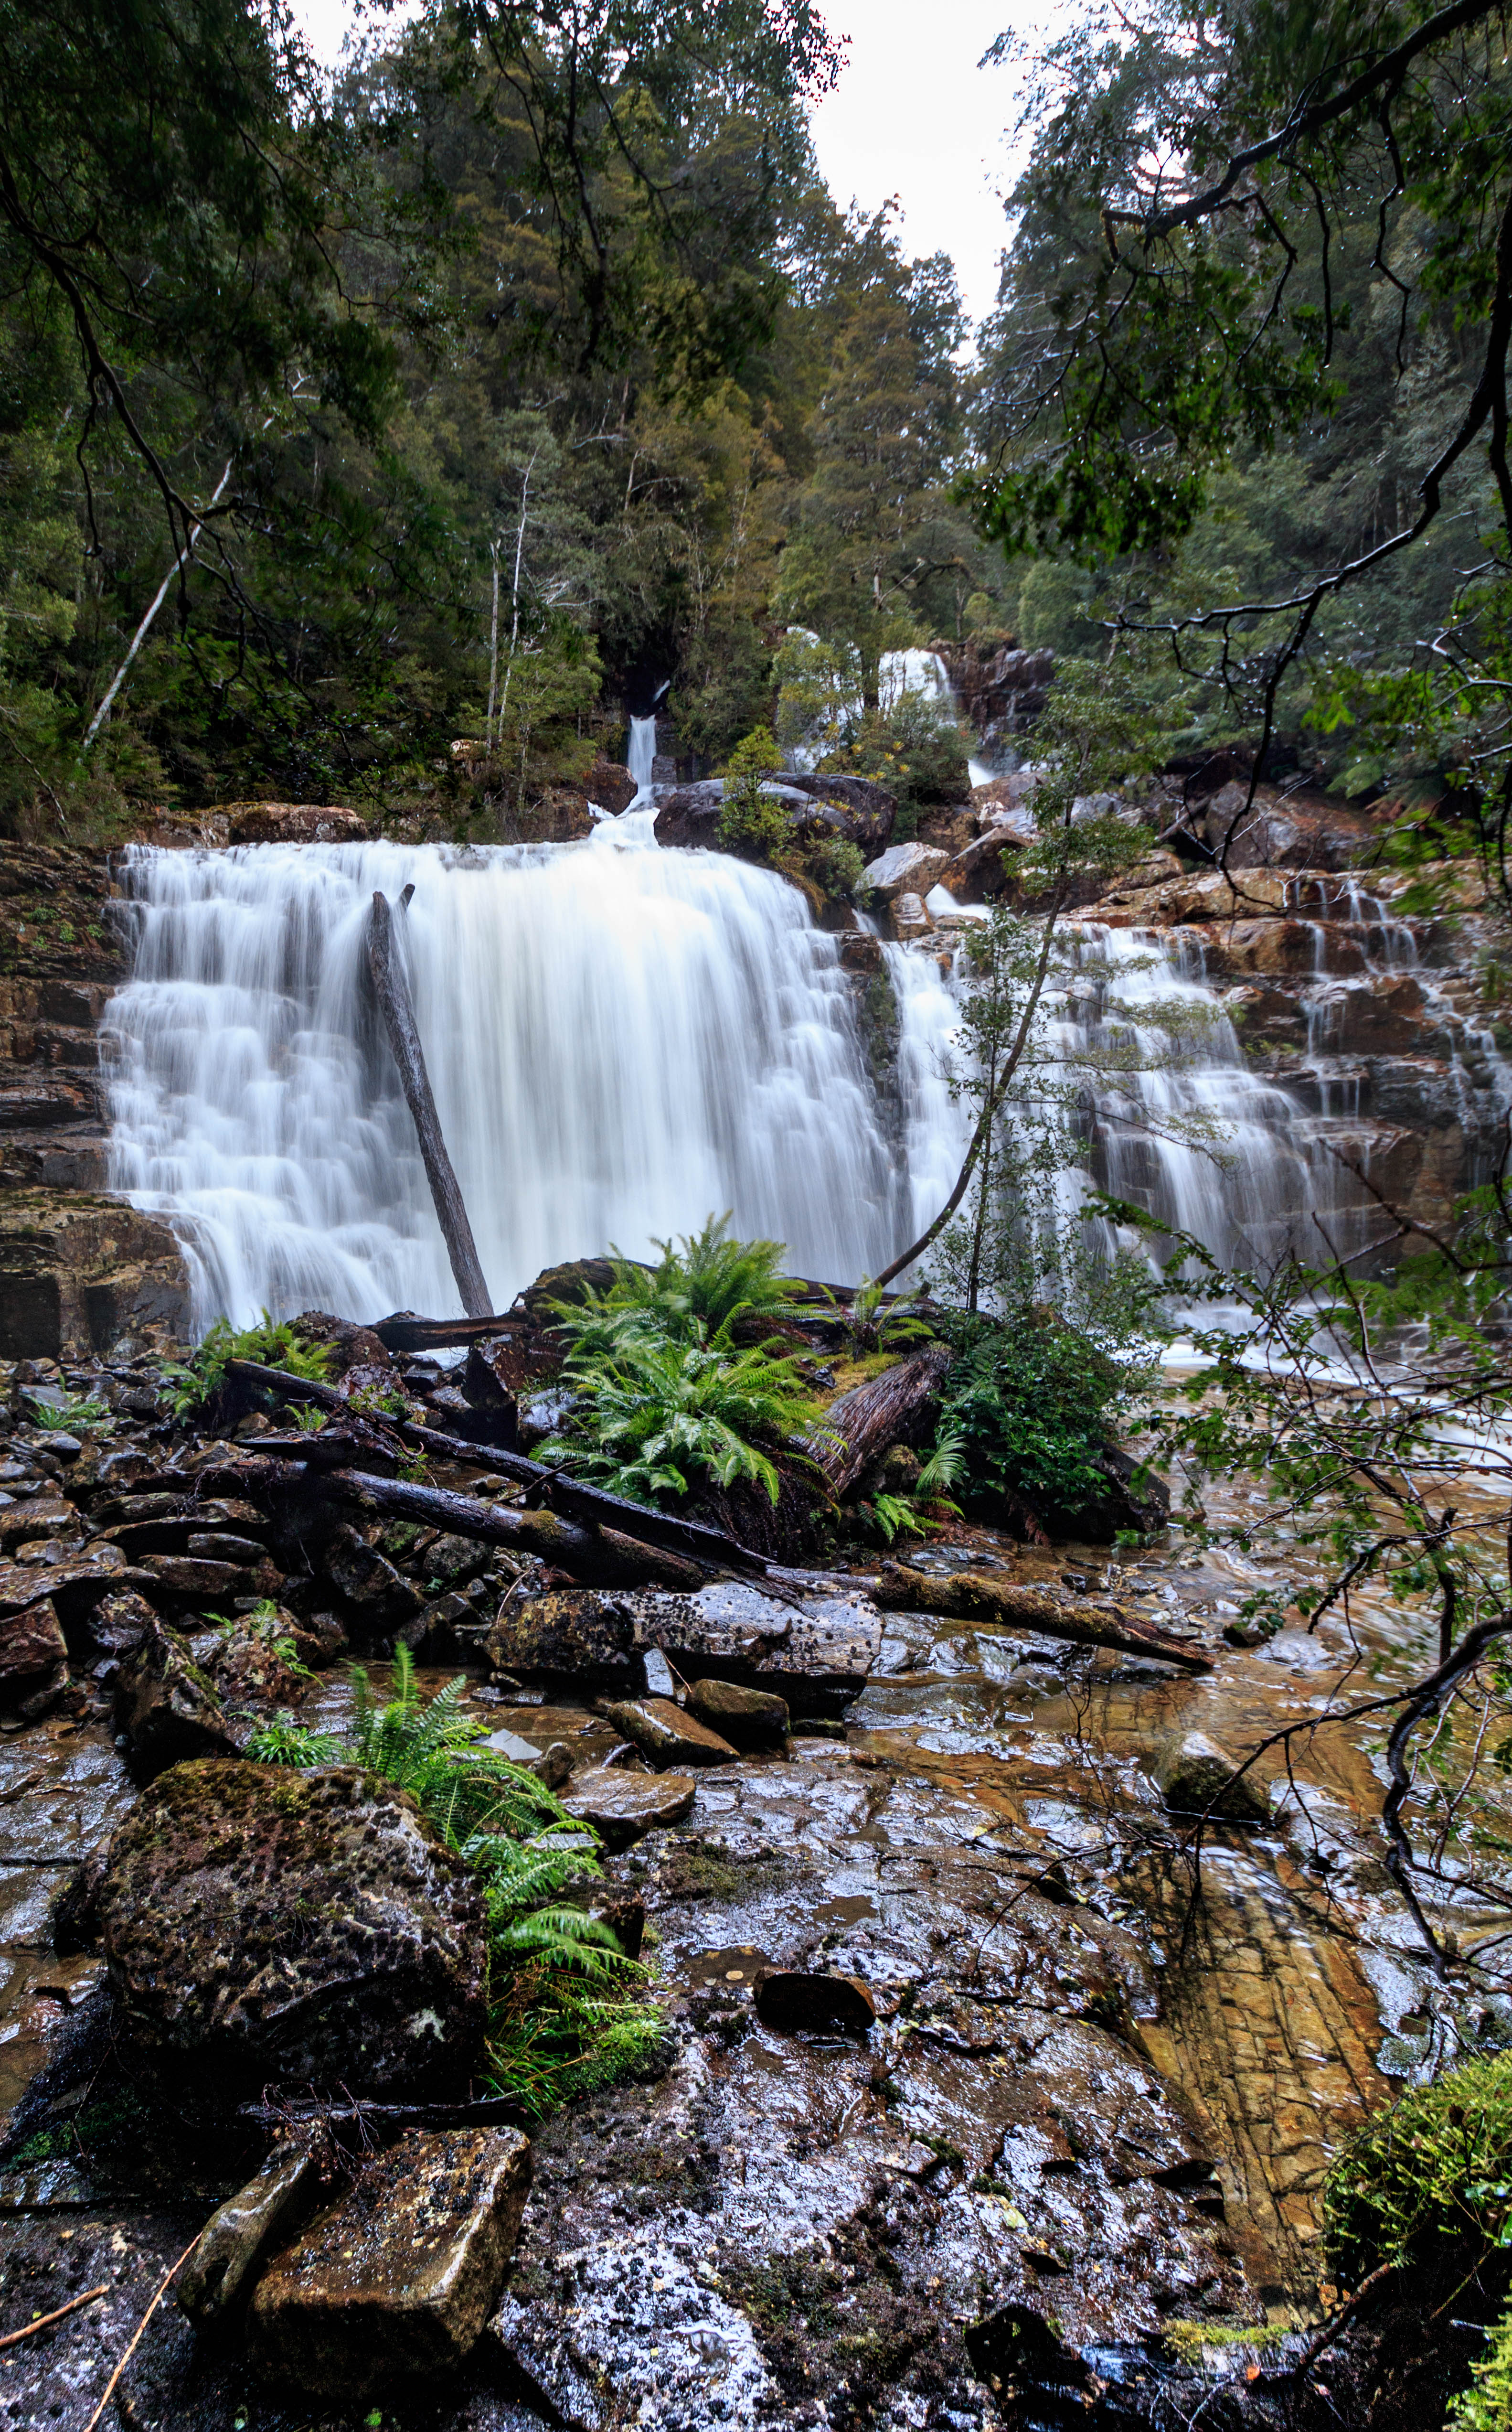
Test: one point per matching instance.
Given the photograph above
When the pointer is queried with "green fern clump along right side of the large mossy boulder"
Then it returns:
(563, 1995)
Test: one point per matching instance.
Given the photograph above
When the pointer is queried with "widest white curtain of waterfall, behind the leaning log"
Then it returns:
(621, 1042)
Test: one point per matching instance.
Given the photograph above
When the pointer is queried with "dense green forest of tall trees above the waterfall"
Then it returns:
(529, 368)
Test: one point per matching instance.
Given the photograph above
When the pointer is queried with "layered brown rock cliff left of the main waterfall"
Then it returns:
(77, 1268)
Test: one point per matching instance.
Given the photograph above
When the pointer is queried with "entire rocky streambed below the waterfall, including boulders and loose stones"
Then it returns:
(974, 2100)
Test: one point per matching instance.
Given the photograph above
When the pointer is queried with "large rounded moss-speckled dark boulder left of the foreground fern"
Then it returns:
(266, 1925)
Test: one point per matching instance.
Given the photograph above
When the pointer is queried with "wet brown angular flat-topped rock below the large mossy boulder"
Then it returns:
(400, 2278)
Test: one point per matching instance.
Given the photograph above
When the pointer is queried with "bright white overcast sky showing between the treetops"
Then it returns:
(913, 116)
